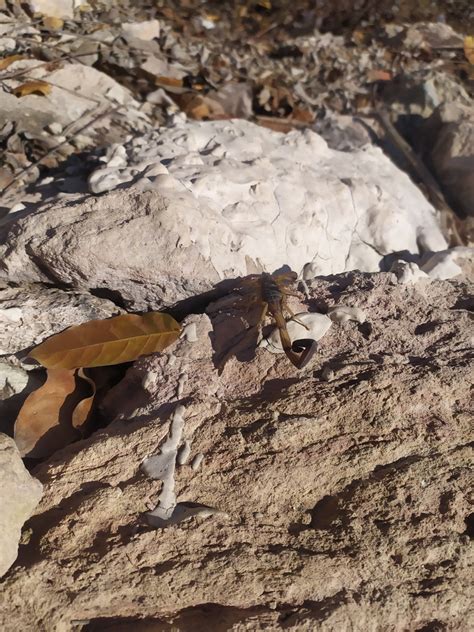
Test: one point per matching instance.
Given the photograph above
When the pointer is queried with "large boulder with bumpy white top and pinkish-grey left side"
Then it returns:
(213, 200)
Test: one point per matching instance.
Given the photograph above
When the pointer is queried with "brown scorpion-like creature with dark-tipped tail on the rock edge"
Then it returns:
(271, 291)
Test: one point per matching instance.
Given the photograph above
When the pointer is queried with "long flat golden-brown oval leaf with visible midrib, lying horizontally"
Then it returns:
(105, 342)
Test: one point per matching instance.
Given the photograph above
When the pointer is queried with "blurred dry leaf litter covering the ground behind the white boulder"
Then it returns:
(282, 65)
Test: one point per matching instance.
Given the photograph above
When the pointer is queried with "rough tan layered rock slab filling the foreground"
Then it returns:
(341, 489)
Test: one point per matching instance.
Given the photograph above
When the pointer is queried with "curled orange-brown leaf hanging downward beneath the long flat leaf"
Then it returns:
(43, 424)
